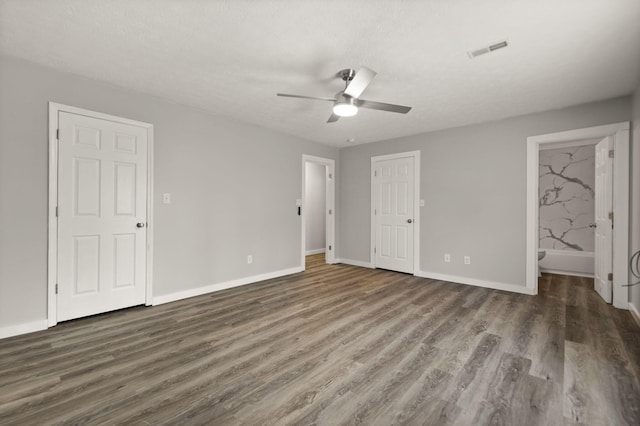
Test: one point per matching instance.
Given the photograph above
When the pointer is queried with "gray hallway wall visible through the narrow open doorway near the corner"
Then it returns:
(315, 201)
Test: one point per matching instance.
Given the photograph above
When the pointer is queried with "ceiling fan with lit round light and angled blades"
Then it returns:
(347, 101)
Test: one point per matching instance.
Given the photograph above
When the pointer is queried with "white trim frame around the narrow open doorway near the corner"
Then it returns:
(330, 208)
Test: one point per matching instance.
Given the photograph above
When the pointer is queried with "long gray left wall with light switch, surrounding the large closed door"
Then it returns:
(233, 187)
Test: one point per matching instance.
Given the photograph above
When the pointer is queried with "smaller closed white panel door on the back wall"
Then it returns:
(394, 213)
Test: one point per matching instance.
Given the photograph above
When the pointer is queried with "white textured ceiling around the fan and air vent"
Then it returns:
(232, 57)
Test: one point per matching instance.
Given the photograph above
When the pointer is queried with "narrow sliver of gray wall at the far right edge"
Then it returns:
(634, 292)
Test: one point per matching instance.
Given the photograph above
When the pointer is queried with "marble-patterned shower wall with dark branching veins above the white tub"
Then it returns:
(566, 198)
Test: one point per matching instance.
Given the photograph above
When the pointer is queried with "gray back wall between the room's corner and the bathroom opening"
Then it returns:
(473, 180)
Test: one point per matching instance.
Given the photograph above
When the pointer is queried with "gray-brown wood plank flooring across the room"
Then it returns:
(335, 345)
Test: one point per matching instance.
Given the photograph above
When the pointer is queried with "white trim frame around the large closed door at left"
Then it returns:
(52, 252)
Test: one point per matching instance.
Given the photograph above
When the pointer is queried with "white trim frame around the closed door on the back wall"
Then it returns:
(416, 205)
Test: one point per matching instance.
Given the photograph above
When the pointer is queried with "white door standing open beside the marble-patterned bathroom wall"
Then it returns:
(604, 224)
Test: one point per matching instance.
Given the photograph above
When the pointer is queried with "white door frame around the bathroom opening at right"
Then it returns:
(620, 134)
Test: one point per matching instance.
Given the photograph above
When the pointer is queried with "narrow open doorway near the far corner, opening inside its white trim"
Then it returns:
(318, 208)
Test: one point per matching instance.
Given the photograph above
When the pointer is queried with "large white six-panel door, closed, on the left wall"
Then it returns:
(102, 199)
